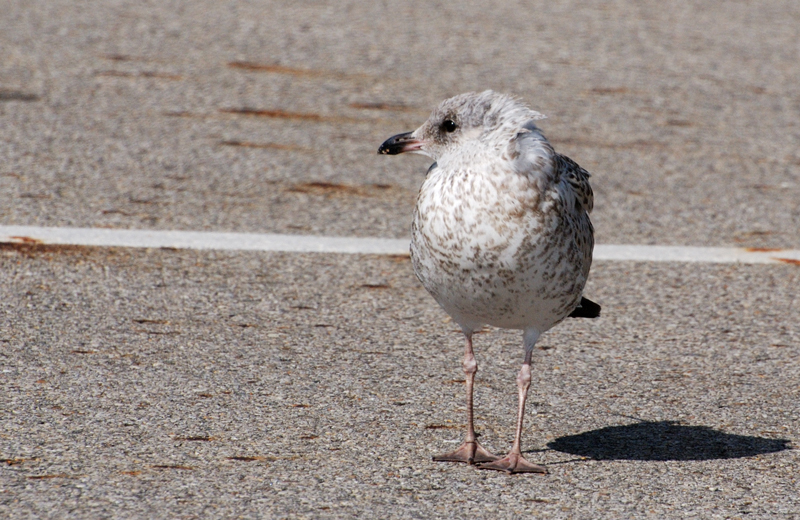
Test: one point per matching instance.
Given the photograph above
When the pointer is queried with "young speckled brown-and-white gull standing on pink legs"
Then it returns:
(500, 236)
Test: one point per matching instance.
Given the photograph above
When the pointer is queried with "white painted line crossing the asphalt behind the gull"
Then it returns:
(355, 245)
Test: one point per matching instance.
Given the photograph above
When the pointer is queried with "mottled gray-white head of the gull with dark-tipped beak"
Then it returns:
(474, 121)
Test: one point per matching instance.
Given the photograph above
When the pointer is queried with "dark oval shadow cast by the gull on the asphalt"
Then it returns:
(664, 440)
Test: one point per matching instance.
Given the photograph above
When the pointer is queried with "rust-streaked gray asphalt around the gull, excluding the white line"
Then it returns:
(164, 383)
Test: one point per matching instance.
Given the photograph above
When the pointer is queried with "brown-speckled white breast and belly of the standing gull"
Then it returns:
(485, 249)
